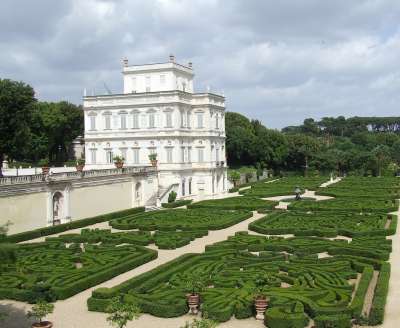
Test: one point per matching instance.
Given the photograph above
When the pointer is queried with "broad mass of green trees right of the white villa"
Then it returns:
(356, 145)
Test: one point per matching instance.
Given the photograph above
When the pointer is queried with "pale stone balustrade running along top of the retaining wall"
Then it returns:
(74, 175)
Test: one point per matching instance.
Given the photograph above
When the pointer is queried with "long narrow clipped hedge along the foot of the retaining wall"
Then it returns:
(41, 232)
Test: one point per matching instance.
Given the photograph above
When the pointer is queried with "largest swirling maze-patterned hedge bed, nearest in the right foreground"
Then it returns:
(234, 275)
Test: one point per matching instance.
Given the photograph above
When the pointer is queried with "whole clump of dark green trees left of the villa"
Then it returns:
(31, 130)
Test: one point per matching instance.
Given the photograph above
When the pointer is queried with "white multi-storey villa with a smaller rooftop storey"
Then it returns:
(159, 112)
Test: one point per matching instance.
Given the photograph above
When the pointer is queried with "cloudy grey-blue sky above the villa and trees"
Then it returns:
(276, 61)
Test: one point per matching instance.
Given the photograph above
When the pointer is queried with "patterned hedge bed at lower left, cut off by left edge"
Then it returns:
(50, 270)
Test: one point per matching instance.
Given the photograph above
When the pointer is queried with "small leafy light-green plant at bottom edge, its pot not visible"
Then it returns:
(121, 312)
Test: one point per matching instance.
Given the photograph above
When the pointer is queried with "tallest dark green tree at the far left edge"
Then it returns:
(16, 100)
